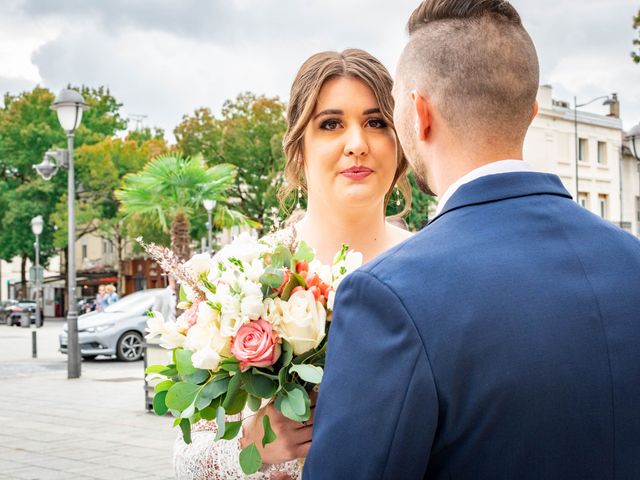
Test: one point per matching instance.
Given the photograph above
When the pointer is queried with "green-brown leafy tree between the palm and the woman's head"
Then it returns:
(248, 134)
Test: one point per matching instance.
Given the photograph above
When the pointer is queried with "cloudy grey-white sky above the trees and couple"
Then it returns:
(163, 59)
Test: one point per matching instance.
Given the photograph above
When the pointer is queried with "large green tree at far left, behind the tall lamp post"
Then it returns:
(28, 128)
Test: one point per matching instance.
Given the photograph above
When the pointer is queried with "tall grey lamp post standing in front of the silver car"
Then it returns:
(69, 106)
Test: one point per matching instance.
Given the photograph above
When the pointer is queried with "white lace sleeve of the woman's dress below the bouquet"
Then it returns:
(206, 459)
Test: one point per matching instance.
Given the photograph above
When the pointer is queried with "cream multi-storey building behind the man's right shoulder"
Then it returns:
(607, 174)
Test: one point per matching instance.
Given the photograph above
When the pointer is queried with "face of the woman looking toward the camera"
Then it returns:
(349, 150)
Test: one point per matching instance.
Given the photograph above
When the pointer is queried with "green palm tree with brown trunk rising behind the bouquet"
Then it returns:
(170, 189)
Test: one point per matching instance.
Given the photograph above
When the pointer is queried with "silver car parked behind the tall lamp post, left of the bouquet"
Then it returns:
(117, 330)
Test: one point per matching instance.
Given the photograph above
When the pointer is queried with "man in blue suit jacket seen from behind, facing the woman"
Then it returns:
(503, 340)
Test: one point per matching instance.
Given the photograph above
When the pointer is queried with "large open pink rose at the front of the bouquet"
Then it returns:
(256, 345)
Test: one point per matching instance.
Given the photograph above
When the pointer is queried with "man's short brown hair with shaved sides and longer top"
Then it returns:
(475, 61)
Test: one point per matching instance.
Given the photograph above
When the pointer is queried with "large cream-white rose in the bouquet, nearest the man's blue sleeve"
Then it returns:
(303, 321)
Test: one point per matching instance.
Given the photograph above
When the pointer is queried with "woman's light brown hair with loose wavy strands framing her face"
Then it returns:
(313, 74)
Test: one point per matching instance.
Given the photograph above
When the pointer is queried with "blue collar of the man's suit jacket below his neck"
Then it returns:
(493, 188)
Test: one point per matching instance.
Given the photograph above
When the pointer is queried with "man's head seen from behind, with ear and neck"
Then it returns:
(467, 78)
